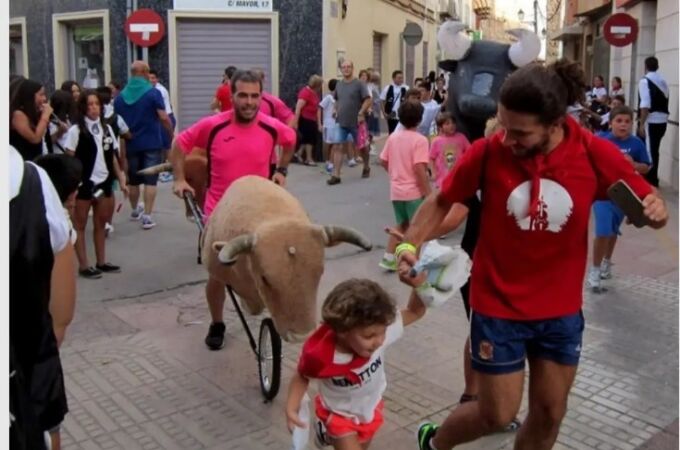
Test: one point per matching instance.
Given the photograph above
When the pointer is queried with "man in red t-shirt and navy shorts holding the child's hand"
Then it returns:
(538, 179)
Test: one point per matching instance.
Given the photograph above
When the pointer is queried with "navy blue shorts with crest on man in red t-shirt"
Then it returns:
(499, 346)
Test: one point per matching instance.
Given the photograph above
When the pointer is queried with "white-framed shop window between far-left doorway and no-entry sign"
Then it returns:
(81, 48)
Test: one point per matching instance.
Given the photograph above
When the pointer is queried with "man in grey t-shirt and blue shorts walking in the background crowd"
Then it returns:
(352, 100)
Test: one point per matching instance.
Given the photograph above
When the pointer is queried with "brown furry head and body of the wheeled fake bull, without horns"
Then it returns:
(281, 271)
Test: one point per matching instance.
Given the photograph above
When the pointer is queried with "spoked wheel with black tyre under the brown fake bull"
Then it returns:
(269, 359)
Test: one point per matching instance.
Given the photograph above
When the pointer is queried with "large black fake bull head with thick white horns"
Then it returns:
(478, 69)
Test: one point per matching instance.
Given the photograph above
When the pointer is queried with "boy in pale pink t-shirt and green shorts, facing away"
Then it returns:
(405, 157)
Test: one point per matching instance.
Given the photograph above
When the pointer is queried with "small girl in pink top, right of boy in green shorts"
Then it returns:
(446, 147)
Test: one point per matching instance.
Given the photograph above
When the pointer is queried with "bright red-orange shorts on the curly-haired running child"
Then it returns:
(334, 426)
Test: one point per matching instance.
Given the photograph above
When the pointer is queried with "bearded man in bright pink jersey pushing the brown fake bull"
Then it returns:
(238, 142)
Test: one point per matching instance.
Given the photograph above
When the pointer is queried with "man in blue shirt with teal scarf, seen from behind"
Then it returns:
(143, 109)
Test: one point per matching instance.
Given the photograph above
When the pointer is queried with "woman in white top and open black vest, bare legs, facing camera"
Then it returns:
(93, 143)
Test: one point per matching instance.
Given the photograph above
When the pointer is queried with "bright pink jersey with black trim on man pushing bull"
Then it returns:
(236, 149)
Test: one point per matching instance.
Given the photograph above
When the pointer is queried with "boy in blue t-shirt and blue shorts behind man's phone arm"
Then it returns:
(608, 216)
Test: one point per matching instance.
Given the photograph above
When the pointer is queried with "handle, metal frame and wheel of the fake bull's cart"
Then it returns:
(267, 349)
